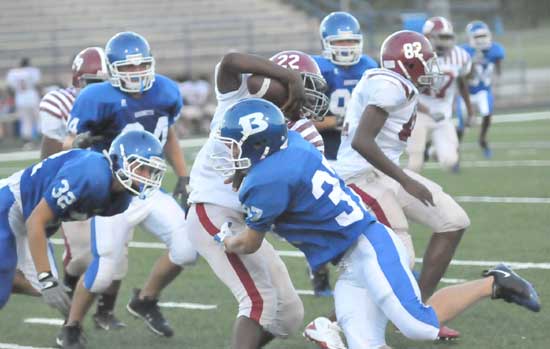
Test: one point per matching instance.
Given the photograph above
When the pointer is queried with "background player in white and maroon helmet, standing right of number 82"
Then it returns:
(436, 103)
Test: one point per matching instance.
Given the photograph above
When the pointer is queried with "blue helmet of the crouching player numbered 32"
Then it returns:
(129, 152)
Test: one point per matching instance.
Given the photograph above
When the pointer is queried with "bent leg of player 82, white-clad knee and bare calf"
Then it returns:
(448, 222)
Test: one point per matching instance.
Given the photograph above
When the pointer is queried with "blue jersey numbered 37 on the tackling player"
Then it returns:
(308, 205)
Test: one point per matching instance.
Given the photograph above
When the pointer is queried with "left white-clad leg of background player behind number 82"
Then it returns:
(416, 143)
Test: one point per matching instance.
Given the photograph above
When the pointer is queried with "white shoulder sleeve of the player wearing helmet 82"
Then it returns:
(384, 94)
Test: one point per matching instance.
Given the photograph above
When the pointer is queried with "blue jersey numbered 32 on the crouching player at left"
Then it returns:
(76, 184)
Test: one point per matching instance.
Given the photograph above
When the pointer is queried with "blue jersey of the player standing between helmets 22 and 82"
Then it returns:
(341, 81)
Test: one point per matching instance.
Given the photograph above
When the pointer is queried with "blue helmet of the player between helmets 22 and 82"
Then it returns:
(336, 27)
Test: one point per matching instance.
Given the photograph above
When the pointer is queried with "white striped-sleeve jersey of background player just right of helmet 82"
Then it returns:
(455, 64)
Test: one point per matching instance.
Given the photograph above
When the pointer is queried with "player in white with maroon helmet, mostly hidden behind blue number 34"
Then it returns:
(89, 66)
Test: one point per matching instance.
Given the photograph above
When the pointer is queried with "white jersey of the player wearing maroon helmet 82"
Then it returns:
(397, 96)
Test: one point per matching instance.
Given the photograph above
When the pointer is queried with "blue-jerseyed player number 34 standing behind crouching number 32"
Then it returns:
(135, 98)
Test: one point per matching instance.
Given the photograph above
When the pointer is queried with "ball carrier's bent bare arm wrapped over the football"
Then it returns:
(234, 64)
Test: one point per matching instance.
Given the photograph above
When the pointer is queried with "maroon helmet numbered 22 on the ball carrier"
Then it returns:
(316, 105)
